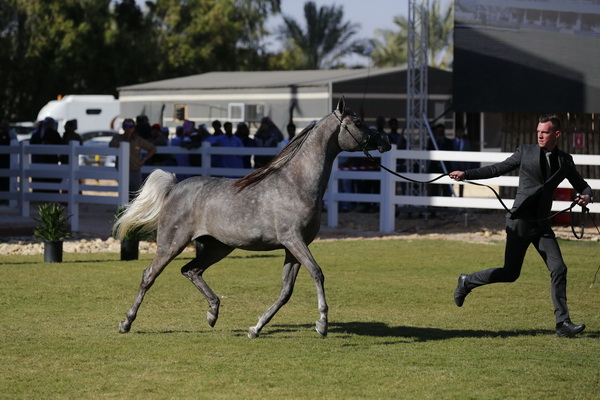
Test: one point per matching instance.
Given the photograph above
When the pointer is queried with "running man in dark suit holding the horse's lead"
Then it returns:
(541, 168)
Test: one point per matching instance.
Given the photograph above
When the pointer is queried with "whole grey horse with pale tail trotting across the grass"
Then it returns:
(275, 207)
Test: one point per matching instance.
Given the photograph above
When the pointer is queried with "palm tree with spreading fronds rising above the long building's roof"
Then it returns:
(326, 39)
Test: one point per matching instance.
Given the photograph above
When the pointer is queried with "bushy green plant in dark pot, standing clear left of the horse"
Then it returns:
(52, 229)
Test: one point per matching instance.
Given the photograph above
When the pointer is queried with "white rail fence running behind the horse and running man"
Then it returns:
(74, 184)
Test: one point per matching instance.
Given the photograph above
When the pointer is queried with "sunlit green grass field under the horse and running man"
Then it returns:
(395, 332)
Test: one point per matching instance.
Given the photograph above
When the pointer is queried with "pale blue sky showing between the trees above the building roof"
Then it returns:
(370, 14)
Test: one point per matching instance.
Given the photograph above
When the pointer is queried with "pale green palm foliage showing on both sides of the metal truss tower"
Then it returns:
(392, 49)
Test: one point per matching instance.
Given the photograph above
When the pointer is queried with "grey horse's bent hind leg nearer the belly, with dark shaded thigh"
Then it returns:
(211, 253)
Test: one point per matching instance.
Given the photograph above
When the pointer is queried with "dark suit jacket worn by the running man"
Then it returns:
(535, 193)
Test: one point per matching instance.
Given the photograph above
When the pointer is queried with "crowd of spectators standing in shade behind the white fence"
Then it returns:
(145, 138)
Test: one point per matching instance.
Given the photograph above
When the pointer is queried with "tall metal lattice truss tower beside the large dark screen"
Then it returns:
(416, 96)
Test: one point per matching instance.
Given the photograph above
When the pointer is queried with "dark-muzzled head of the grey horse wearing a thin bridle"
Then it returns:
(355, 135)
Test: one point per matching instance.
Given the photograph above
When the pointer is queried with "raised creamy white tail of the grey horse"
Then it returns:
(143, 212)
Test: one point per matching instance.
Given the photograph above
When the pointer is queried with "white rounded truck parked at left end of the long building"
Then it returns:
(92, 112)
